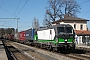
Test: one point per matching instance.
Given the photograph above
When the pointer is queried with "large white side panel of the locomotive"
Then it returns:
(48, 34)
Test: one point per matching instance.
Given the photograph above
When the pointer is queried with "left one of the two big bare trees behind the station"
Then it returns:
(52, 9)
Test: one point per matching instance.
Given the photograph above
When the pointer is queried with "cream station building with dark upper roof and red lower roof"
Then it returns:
(80, 27)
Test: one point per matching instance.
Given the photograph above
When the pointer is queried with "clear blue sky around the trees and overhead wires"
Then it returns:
(26, 10)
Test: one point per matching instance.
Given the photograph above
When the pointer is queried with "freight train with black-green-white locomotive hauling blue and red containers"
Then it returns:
(52, 38)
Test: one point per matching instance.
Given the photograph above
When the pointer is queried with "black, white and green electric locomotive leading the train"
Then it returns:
(56, 37)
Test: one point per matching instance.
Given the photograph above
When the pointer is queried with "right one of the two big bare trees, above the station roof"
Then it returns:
(71, 7)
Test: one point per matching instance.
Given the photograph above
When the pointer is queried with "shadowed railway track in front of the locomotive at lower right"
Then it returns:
(76, 54)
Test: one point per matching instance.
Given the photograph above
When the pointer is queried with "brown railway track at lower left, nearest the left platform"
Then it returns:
(17, 55)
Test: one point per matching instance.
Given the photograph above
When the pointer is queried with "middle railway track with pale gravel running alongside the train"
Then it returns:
(36, 53)
